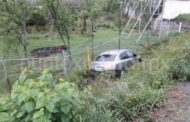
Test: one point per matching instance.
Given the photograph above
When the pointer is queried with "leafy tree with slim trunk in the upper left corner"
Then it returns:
(17, 13)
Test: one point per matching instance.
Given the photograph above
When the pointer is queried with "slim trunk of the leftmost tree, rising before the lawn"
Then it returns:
(24, 43)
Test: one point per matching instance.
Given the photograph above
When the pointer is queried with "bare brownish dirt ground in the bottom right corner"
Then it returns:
(177, 107)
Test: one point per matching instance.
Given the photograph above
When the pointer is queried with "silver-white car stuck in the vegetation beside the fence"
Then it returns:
(114, 62)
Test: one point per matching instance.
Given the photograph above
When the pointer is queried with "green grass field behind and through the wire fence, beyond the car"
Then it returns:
(38, 40)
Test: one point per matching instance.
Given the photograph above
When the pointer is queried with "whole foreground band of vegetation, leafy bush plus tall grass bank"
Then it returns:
(135, 95)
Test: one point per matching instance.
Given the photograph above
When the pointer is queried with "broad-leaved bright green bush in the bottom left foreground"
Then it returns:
(42, 100)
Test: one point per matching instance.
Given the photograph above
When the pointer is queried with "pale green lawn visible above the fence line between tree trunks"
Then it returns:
(38, 40)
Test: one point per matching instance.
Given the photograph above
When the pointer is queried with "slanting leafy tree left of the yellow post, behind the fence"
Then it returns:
(63, 20)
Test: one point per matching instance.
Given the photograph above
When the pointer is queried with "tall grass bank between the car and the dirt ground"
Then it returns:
(148, 82)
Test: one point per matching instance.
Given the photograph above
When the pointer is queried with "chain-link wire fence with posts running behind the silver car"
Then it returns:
(63, 64)
